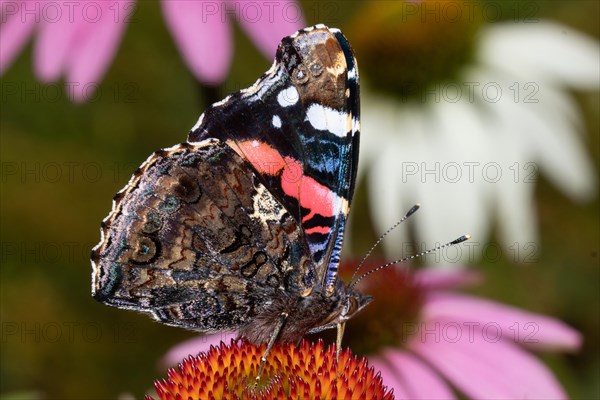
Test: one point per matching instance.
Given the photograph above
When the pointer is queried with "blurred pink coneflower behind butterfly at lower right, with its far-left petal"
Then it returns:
(437, 342)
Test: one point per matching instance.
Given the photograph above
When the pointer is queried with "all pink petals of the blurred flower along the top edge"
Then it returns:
(78, 40)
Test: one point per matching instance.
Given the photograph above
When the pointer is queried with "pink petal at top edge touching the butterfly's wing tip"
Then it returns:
(267, 22)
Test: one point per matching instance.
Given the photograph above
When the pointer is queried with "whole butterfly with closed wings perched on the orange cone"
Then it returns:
(241, 227)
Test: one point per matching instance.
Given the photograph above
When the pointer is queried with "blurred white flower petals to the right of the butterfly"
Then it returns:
(471, 152)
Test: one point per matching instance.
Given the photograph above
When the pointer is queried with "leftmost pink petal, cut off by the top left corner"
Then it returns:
(15, 29)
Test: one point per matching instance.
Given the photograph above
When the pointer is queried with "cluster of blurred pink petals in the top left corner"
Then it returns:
(74, 40)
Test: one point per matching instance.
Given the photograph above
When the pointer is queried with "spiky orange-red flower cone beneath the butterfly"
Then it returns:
(307, 371)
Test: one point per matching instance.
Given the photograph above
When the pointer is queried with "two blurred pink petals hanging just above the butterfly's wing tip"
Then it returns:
(203, 33)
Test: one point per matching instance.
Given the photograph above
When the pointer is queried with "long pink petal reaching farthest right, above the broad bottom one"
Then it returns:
(533, 330)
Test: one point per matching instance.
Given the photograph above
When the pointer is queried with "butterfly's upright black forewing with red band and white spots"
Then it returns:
(298, 125)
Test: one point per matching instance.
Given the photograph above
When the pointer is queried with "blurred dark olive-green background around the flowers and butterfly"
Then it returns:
(62, 163)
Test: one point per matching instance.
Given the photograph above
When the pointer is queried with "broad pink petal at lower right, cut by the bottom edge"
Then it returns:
(484, 369)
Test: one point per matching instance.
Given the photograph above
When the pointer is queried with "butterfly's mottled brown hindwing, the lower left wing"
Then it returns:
(196, 240)
